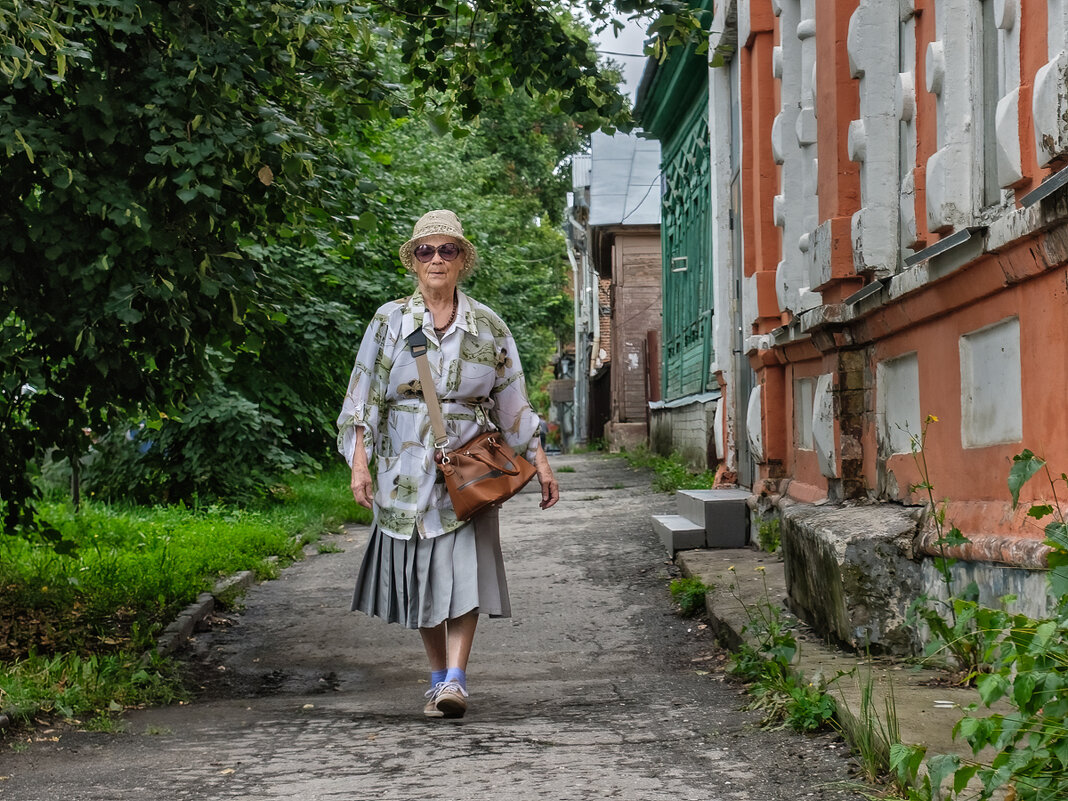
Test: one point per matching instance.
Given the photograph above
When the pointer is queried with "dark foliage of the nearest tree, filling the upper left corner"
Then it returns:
(142, 143)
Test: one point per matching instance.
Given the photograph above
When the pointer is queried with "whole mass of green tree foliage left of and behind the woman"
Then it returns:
(205, 199)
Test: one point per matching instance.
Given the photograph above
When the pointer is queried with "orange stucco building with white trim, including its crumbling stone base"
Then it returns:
(889, 223)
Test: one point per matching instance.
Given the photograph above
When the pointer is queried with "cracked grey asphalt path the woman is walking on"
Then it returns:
(594, 689)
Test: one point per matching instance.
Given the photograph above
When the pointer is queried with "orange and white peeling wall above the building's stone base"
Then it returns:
(912, 280)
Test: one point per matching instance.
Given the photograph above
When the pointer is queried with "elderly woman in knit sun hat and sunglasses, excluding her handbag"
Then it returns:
(423, 568)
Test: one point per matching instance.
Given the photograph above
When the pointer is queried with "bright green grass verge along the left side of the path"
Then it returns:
(73, 630)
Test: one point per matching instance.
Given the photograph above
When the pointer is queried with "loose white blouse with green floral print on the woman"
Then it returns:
(480, 385)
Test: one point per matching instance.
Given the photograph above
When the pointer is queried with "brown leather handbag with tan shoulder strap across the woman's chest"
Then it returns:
(480, 474)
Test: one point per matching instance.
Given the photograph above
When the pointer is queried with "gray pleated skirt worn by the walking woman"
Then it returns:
(421, 584)
